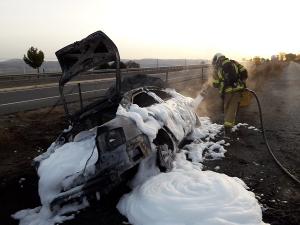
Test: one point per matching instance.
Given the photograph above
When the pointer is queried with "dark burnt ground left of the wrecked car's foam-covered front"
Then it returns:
(22, 137)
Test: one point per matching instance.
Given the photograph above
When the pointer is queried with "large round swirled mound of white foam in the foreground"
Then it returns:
(190, 197)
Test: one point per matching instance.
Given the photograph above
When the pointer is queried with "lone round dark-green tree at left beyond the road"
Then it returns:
(34, 58)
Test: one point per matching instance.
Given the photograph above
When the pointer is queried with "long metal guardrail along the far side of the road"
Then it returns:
(41, 76)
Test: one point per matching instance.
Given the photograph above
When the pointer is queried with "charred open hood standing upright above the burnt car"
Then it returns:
(81, 56)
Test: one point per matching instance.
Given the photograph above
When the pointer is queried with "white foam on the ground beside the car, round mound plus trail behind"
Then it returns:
(187, 195)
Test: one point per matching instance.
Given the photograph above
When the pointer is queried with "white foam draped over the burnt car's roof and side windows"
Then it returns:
(176, 113)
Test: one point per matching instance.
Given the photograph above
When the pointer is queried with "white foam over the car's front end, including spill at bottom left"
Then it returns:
(56, 172)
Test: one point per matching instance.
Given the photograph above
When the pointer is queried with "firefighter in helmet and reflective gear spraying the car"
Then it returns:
(230, 78)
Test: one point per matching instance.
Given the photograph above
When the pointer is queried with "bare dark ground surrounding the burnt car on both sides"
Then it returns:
(24, 135)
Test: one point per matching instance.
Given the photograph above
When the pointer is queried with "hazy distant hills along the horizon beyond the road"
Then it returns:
(17, 66)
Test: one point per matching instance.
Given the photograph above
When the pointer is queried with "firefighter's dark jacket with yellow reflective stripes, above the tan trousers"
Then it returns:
(229, 76)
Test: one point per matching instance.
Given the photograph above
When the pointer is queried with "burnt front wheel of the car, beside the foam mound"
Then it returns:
(165, 158)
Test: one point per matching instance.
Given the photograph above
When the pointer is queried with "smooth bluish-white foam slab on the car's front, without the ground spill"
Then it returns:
(67, 160)
